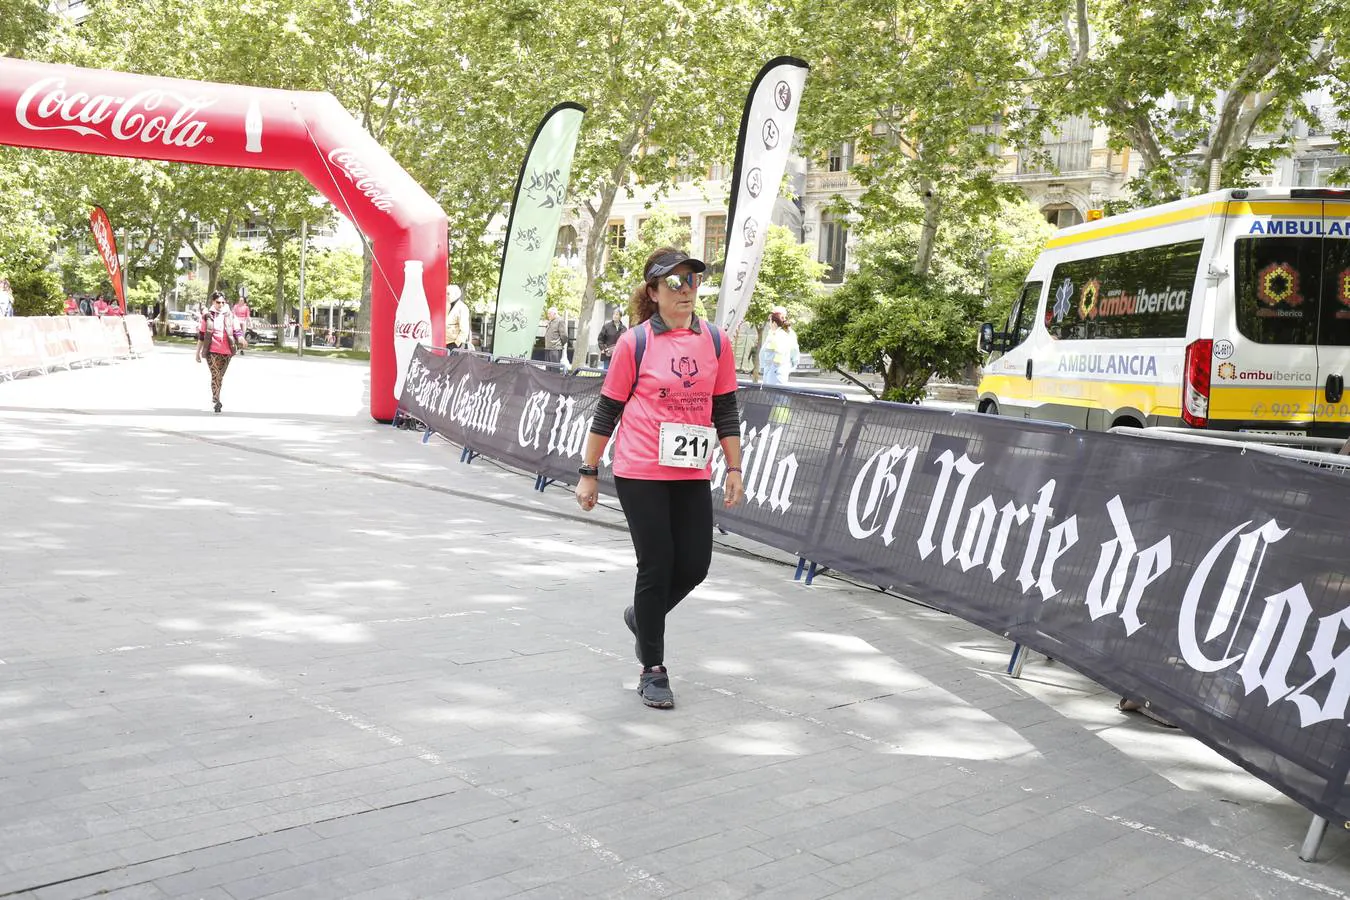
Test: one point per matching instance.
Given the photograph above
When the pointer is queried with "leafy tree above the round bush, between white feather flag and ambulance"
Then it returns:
(927, 95)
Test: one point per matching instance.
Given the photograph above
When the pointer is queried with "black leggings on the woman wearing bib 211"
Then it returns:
(672, 524)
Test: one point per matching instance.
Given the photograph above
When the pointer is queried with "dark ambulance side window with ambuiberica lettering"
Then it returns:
(1140, 293)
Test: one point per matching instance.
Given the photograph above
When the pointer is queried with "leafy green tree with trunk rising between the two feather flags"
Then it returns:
(653, 117)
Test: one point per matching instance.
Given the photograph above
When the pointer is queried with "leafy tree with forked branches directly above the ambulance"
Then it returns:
(1240, 69)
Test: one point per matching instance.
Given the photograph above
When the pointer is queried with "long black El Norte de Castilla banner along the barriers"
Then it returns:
(1209, 581)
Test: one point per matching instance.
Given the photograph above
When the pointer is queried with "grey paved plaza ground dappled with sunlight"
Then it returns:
(286, 652)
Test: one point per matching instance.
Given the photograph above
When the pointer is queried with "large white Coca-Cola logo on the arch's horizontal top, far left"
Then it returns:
(149, 117)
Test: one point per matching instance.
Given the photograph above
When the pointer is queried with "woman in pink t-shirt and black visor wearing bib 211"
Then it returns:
(678, 401)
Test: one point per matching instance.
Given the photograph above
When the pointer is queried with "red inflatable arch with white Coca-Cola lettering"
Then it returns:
(114, 114)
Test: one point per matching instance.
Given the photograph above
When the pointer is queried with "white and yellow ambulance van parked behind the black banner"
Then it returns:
(1228, 311)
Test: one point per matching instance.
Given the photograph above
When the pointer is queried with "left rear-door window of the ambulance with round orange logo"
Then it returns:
(1276, 289)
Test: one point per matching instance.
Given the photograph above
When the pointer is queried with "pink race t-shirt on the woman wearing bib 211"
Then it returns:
(681, 376)
